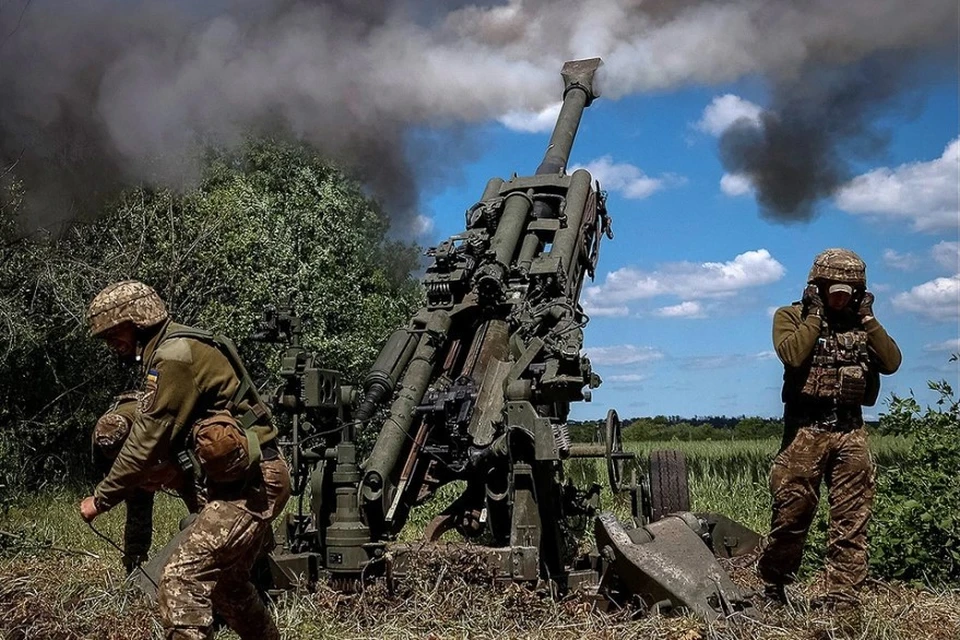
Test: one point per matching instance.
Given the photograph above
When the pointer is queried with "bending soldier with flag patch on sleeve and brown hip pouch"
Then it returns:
(198, 409)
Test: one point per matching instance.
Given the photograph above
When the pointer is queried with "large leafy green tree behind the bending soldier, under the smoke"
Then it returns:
(273, 223)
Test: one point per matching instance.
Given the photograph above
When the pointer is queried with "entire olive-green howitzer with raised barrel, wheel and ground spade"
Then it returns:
(476, 390)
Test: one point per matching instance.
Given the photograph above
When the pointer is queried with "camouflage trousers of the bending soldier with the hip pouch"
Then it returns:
(210, 569)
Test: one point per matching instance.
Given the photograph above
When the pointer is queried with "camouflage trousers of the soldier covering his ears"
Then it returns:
(841, 459)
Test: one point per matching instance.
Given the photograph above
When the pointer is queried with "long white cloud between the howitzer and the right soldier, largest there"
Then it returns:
(687, 279)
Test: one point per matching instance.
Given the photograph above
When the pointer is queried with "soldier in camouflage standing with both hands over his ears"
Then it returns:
(833, 351)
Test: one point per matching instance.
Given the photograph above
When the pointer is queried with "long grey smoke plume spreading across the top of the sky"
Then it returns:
(102, 93)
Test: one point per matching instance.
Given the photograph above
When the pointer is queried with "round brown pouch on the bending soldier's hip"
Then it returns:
(224, 450)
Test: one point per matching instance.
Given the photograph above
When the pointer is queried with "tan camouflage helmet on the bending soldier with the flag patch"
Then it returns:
(127, 301)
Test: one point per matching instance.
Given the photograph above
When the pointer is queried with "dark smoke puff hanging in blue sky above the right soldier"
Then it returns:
(819, 120)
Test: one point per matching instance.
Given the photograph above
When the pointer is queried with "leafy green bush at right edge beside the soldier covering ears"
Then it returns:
(916, 530)
